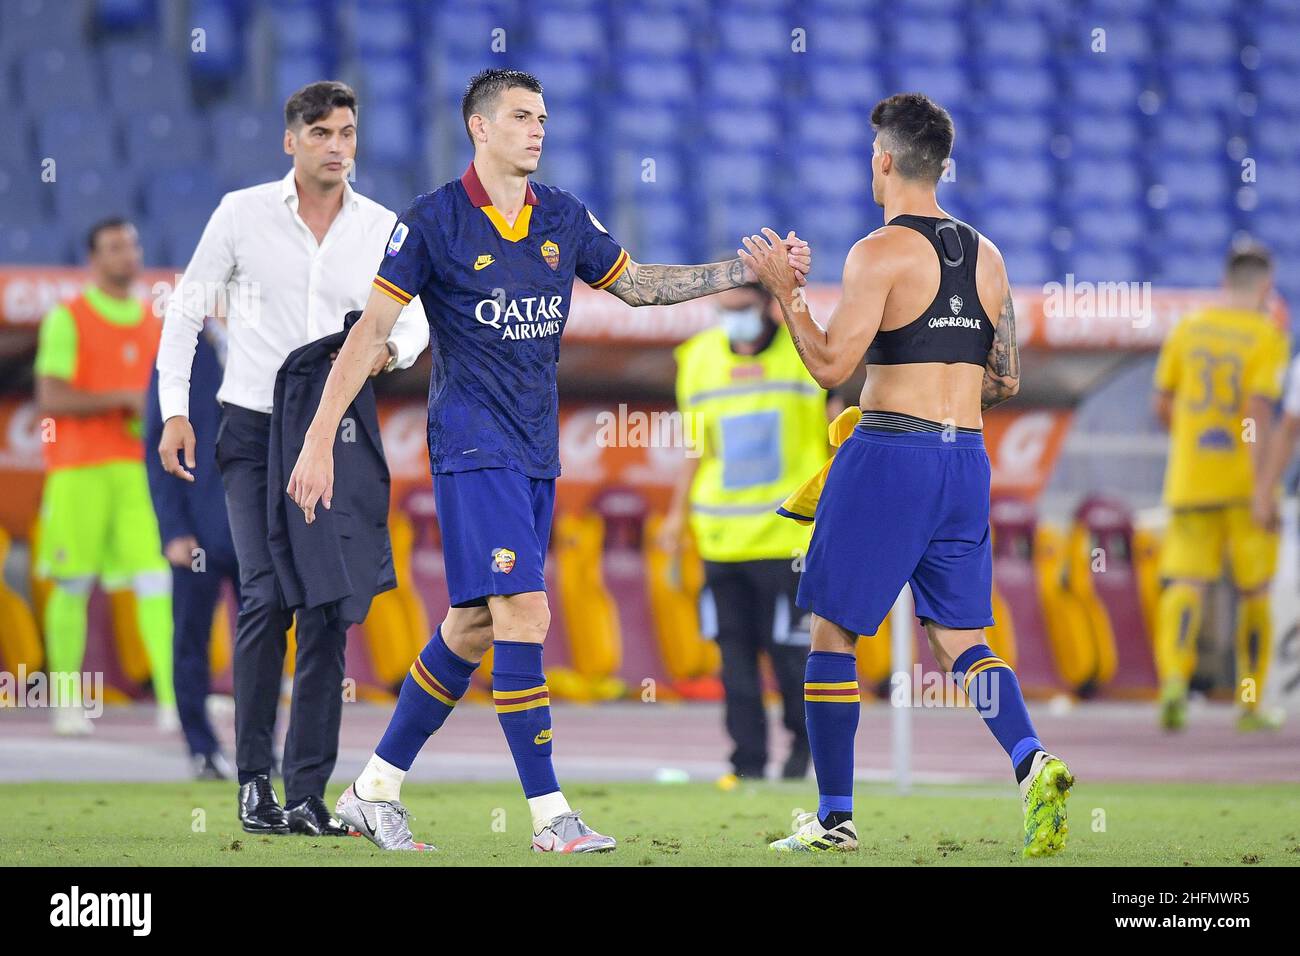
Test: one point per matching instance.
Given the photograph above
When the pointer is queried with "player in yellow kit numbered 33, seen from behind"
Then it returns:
(1219, 378)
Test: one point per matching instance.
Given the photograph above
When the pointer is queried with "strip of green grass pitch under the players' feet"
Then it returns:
(487, 824)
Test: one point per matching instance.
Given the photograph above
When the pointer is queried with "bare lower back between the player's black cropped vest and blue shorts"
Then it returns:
(929, 391)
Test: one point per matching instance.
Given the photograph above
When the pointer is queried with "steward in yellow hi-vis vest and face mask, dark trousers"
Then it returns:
(757, 423)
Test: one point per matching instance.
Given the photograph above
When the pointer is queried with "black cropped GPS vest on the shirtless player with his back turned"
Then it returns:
(955, 327)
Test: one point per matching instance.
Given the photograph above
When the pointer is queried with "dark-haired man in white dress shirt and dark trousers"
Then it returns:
(288, 259)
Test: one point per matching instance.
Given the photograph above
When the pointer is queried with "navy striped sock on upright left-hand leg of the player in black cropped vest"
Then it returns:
(831, 708)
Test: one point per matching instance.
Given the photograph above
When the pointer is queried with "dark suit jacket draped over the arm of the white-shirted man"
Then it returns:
(345, 556)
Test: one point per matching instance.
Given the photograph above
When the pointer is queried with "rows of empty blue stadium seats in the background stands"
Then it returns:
(712, 92)
